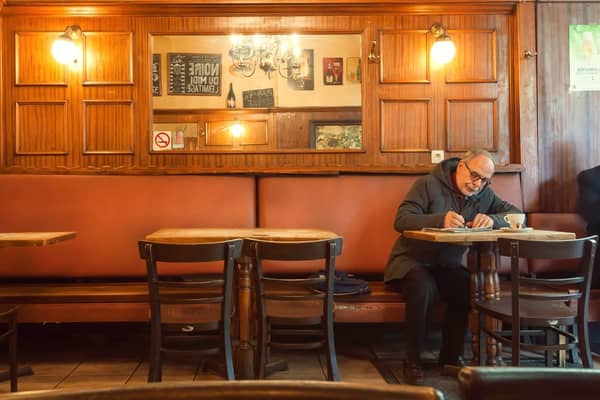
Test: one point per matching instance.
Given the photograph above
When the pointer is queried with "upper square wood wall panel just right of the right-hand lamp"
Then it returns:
(475, 60)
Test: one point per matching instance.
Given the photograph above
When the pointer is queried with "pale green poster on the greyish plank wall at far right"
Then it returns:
(584, 57)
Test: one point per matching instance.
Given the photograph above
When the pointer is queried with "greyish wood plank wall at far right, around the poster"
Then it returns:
(569, 122)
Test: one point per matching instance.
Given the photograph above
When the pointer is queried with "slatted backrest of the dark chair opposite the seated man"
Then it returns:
(575, 285)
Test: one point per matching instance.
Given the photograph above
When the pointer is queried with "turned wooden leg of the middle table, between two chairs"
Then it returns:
(244, 360)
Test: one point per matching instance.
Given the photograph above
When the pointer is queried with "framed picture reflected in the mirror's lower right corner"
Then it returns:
(335, 135)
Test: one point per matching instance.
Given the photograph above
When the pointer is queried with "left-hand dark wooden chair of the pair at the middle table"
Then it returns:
(184, 314)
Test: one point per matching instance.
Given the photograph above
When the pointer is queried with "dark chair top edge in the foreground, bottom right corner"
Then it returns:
(526, 383)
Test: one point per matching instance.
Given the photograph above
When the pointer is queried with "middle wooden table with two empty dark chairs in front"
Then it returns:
(244, 359)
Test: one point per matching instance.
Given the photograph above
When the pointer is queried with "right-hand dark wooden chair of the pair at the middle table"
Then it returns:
(291, 314)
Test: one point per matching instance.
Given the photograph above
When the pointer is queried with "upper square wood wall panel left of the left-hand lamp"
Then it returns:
(34, 64)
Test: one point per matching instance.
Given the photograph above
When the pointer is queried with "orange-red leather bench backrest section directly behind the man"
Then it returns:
(361, 208)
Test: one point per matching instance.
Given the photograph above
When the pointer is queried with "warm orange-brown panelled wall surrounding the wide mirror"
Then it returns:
(96, 116)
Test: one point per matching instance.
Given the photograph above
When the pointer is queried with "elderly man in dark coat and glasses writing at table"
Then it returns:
(457, 193)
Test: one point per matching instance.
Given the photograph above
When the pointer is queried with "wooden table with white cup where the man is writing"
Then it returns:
(482, 262)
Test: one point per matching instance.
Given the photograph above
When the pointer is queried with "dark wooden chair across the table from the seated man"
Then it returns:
(543, 306)
